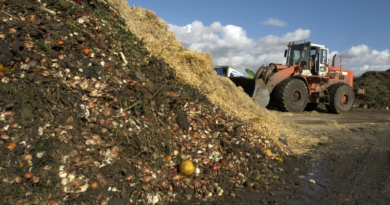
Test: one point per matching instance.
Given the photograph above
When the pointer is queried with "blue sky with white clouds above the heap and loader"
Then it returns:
(246, 34)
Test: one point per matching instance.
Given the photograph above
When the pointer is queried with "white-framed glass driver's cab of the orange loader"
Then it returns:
(313, 58)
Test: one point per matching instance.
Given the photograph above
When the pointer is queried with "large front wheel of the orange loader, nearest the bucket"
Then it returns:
(291, 95)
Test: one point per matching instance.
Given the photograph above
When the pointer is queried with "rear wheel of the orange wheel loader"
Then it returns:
(341, 98)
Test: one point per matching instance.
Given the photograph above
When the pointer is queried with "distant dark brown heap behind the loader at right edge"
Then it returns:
(377, 89)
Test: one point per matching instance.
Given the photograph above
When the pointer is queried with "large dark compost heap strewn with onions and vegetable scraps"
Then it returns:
(88, 115)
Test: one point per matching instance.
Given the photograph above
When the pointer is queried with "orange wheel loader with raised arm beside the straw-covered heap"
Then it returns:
(305, 81)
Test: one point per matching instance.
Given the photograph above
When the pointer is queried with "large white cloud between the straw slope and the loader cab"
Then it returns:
(229, 45)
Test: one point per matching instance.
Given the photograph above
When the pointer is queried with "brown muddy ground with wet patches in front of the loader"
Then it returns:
(349, 165)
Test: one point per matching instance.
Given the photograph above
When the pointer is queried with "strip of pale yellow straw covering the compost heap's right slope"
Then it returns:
(196, 69)
